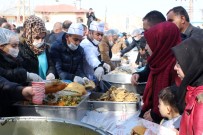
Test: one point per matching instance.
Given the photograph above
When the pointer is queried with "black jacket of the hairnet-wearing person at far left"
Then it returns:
(11, 68)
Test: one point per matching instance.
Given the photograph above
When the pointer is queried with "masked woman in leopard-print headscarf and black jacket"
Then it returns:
(34, 50)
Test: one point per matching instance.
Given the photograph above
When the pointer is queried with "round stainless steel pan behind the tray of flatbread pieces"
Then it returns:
(121, 80)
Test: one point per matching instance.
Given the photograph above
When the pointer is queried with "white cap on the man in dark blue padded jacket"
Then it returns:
(76, 28)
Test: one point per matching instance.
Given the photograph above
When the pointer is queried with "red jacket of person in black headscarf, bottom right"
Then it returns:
(192, 118)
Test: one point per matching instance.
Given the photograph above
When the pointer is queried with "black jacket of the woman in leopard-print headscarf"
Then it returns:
(30, 60)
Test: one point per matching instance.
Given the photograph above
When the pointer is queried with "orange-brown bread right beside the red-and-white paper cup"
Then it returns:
(54, 86)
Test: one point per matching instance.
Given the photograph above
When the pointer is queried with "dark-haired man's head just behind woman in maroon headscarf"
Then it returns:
(152, 18)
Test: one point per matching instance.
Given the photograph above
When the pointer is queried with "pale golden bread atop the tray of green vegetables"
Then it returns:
(76, 89)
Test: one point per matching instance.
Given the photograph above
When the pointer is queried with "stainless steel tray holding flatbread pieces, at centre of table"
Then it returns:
(93, 104)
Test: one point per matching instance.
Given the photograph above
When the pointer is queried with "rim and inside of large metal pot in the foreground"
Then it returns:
(45, 126)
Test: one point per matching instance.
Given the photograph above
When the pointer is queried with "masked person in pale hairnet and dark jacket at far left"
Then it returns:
(10, 64)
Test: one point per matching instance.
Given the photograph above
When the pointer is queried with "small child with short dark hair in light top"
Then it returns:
(168, 108)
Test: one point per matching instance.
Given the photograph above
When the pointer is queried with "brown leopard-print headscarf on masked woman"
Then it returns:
(33, 26)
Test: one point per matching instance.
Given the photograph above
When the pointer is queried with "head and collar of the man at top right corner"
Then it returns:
(180, 17)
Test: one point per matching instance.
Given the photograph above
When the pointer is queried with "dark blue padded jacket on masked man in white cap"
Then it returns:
(68, 63)
